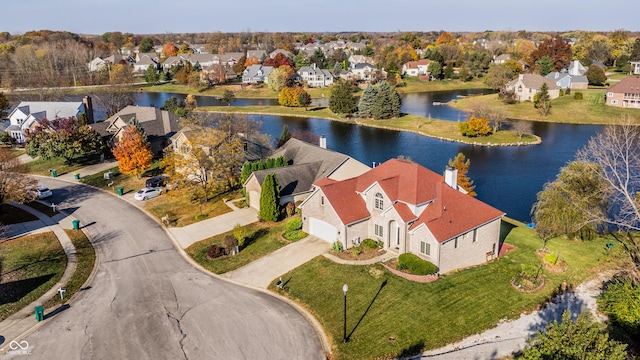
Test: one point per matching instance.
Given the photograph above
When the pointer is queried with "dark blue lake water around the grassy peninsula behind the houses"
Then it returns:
(508, 178)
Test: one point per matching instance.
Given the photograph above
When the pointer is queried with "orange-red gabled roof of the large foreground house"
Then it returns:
(448, 212)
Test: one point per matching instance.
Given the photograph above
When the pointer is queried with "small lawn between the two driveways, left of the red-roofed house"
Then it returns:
(262, 238)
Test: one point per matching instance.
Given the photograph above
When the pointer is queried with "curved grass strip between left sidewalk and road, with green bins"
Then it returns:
(86, 258)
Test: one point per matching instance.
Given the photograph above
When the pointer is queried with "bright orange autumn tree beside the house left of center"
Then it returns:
(133, 152)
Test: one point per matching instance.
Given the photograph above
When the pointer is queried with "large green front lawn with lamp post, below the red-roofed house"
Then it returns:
(389, 316)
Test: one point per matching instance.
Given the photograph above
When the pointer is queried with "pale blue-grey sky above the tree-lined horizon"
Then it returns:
(187, 16)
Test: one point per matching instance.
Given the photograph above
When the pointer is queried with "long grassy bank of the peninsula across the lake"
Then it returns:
(443, 129)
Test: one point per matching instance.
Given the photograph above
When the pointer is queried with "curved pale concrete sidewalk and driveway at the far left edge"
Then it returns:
(23, 321)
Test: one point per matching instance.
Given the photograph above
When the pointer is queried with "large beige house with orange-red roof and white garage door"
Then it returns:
(410, 209)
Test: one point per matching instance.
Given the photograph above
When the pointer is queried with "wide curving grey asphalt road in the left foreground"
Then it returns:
(147, 302)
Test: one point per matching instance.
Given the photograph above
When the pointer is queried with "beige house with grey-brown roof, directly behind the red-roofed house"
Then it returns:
(307, 163)
